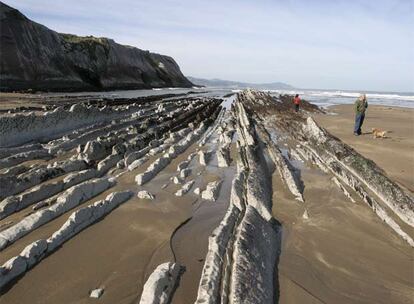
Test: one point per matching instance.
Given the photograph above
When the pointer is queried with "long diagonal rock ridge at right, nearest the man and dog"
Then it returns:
(362, 175)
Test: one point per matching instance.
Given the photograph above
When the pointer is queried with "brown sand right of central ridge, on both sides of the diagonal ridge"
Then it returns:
(344, 253)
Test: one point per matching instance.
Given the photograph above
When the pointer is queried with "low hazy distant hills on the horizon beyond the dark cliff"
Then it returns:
(239, 85)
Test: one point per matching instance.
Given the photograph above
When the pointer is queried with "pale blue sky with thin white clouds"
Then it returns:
(324, 44)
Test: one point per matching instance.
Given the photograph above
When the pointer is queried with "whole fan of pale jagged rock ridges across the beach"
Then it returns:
(241, 261)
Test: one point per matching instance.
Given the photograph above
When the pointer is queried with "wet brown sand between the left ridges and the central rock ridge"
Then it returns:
(120, 252)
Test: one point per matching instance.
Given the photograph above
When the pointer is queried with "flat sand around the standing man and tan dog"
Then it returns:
(394, 154)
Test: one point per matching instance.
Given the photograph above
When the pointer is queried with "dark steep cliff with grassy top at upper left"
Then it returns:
(35, 57)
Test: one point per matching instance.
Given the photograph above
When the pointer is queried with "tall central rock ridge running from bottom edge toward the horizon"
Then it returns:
(241, 260)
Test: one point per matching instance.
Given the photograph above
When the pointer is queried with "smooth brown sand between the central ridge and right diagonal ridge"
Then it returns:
(343, 253)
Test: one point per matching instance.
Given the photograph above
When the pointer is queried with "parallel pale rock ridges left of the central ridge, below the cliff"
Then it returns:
(106, 139)
